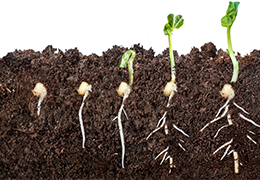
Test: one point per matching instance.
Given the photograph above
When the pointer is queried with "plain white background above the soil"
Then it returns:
(94, 26)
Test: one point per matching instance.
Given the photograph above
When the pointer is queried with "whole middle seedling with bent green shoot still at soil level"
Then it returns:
(124, 90)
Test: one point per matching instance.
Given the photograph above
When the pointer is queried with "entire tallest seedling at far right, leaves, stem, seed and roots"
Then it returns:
(228, 91)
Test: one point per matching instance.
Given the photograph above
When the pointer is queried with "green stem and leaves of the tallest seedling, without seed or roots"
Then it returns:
(227, 21)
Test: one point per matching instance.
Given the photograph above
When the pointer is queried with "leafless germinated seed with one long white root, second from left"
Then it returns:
(83, 90)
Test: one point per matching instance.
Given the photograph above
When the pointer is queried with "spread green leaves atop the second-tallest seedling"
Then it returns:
(173, 23)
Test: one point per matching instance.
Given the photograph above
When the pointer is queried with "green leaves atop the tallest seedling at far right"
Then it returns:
(231, 14)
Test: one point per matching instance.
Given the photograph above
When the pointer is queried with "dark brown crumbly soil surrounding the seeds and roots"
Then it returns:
(49, 146)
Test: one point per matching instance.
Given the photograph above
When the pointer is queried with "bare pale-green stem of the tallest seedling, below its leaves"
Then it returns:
(233, 58)
